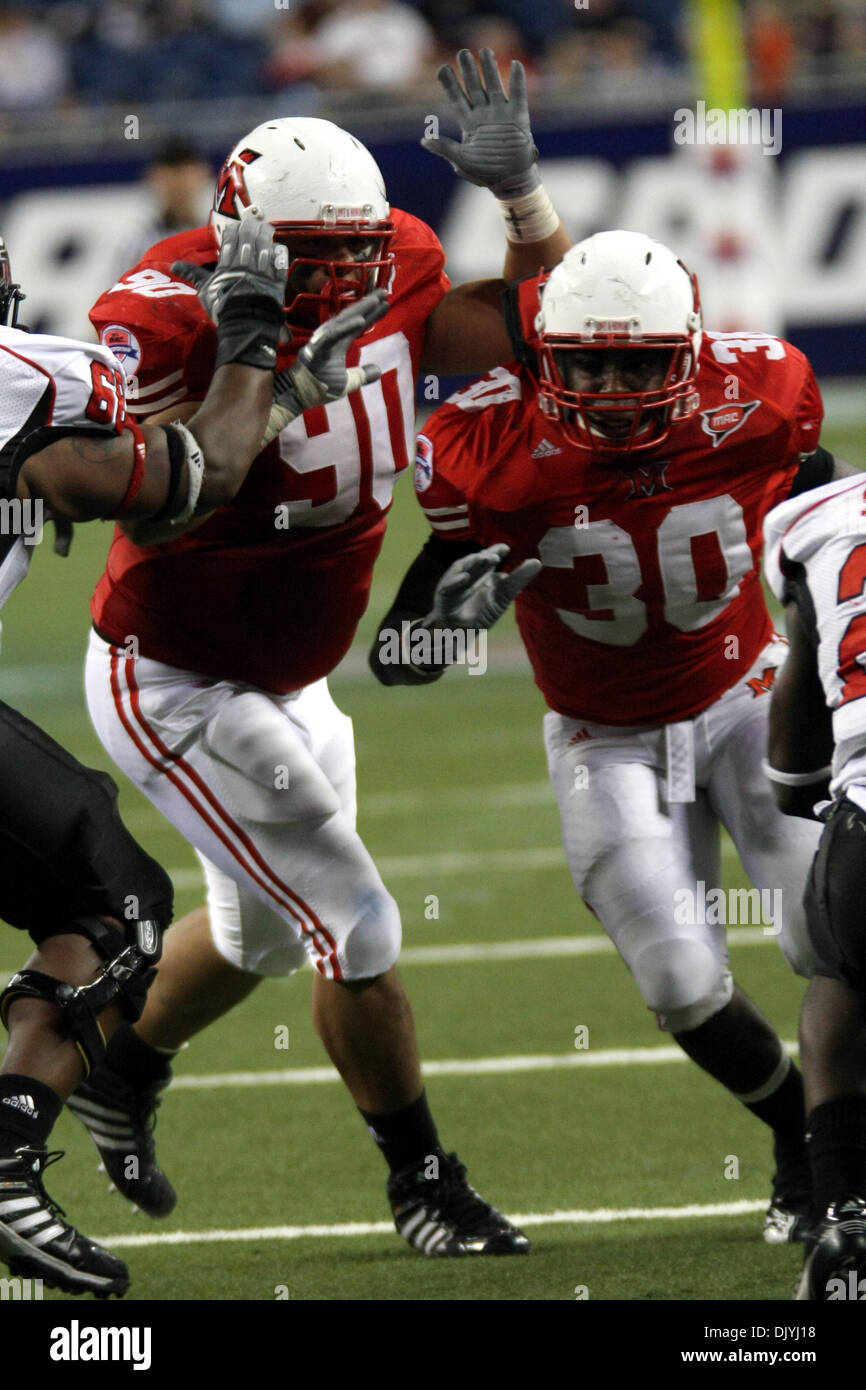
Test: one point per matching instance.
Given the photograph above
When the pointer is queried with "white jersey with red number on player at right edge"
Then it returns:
(817, 555)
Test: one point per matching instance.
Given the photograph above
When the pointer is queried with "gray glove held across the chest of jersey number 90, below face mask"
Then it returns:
(320, 373)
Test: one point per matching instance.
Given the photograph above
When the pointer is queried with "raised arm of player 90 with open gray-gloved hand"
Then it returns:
(466, 332)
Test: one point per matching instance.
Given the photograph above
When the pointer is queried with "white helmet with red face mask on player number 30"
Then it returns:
(619, 291)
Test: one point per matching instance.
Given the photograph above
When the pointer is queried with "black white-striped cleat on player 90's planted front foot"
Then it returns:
(443, 1216)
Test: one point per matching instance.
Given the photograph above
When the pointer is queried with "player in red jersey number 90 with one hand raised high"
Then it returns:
(206, 675)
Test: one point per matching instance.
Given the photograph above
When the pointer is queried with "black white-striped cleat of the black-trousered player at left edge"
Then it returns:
(35, 1241)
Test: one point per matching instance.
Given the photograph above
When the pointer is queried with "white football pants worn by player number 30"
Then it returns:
(640, 814)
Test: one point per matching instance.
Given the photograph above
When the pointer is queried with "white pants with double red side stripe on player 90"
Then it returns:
(263, 787)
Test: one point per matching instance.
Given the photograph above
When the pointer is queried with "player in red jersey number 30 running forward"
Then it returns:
(630, 458)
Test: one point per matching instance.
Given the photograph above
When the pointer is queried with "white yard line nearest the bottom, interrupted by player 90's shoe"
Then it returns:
(386, 1228)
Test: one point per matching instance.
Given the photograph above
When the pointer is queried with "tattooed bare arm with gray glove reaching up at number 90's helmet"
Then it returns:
(170, 476)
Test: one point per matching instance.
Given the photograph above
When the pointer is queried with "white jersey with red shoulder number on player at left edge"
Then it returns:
(48, 387)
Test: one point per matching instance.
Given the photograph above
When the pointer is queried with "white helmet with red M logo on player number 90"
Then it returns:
(323, 193)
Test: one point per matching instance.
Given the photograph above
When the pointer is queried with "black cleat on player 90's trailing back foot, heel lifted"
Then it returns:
(120, 1120)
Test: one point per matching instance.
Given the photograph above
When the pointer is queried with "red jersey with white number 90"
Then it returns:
(270, 590)
